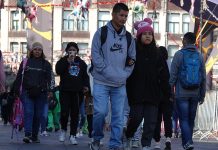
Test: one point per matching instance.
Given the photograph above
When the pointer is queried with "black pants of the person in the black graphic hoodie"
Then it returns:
(70, 104)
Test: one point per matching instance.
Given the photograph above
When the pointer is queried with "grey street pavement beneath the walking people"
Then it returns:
(51, 142)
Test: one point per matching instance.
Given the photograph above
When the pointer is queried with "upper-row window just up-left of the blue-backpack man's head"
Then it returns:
(173, 23)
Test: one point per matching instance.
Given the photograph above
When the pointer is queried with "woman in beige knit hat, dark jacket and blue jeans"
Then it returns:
(36, 87)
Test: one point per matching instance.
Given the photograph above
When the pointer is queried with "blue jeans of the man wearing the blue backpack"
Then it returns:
(187, 111)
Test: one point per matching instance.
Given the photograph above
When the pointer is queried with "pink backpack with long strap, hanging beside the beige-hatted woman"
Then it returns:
(17, 118)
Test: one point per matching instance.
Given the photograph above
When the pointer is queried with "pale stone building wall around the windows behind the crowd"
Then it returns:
(60, 36)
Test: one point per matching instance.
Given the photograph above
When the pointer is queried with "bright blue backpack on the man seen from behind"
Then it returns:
(190, 70)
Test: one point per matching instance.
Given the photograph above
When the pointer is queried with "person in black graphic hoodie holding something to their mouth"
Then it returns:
(74, 81)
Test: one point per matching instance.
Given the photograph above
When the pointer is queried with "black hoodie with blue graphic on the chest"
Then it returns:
(73, 77)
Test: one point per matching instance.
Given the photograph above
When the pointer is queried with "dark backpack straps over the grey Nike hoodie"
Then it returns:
(104, 37)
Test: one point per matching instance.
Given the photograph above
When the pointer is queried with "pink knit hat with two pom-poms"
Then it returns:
(142, 26)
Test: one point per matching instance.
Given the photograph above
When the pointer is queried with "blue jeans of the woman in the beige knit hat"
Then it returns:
(33, 111)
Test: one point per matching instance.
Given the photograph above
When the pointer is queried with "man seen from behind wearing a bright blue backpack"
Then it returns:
(188, 77)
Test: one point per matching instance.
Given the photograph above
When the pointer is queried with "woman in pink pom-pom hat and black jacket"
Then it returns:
(145, 85)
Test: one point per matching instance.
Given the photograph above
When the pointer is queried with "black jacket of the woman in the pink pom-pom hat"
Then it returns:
(149, 80)
